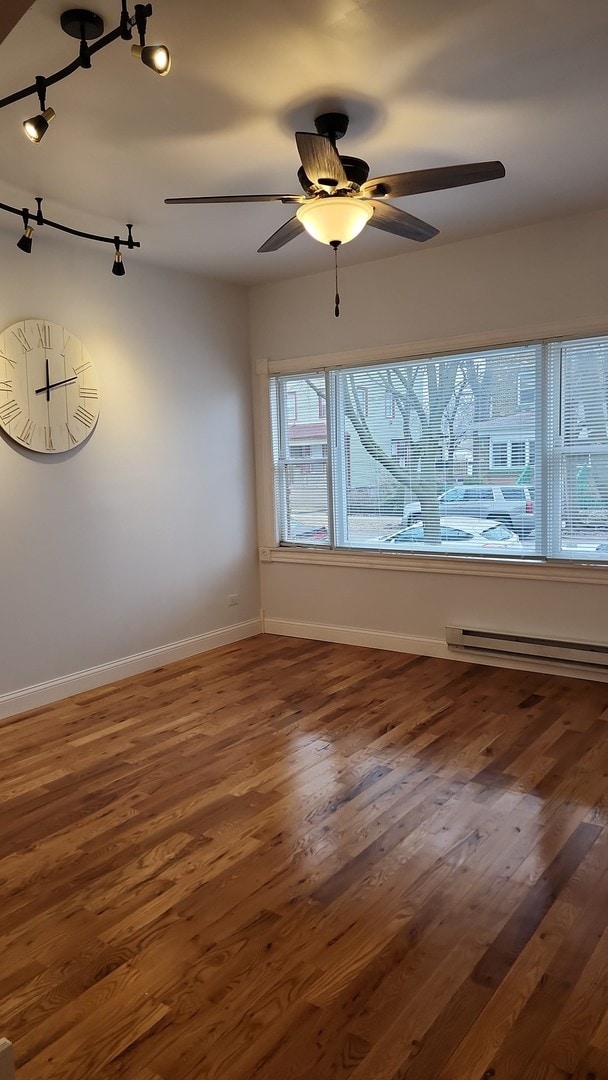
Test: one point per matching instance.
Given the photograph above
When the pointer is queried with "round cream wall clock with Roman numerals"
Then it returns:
(49, 388)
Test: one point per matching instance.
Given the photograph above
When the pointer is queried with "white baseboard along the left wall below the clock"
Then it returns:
(57, 690)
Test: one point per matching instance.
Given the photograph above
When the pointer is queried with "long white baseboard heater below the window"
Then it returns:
(531, 649)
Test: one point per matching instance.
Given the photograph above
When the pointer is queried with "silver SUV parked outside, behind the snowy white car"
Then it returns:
(510, 504)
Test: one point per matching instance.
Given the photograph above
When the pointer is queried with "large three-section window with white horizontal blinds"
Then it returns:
(497, 453)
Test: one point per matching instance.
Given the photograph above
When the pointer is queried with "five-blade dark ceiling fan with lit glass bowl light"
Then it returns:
(339, 198)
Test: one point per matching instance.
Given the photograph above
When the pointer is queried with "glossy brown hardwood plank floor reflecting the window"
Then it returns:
(290, 859)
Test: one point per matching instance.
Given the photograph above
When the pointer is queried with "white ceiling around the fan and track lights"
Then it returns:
(426, 84)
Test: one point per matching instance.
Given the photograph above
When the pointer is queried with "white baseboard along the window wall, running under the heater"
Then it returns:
(420, 646)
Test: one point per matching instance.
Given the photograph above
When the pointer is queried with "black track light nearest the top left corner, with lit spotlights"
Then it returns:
(87, 28)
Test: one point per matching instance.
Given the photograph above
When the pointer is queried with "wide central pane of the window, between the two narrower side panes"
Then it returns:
(456, 418)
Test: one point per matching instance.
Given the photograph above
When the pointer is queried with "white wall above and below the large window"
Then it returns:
(548, 279)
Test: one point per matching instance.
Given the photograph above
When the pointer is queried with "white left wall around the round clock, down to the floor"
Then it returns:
(131, 544)
